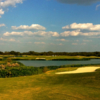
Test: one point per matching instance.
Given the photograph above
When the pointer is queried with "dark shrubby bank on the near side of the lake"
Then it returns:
(16, 69)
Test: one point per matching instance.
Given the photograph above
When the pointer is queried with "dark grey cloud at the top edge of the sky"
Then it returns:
(79, 2)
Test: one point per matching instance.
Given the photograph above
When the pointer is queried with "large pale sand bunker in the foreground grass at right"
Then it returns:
(80, 70)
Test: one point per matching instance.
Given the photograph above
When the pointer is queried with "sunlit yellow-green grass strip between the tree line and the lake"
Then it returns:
(31, 57)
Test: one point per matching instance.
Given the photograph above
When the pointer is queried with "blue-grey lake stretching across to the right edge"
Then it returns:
(57, 63)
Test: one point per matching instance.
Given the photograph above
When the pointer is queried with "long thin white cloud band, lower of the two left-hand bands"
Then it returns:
(39, 33)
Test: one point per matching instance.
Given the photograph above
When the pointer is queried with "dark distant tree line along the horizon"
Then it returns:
(50, 53)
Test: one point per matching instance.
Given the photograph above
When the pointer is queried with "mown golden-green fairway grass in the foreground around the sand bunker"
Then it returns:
(49, 86)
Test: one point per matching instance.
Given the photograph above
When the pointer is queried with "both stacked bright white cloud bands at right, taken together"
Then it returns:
(82, 29)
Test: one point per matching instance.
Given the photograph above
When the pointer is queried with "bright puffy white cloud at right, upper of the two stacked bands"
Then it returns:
(83, 26)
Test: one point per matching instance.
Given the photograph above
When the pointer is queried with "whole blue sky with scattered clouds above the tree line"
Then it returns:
(50, 25)
